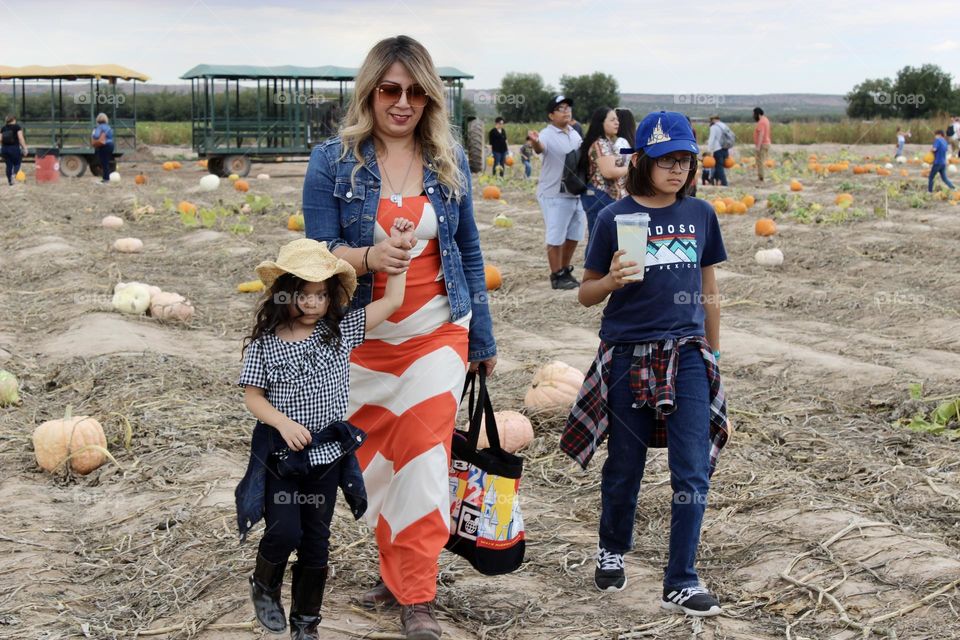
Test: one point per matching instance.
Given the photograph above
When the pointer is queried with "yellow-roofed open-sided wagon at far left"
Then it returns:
(58, 107)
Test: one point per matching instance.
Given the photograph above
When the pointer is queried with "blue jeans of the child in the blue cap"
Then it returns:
(688, 457)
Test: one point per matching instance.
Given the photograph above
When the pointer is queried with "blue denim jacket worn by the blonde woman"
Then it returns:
(344, 214)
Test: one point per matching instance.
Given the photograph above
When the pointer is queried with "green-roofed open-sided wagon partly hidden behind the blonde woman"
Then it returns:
(241, 114)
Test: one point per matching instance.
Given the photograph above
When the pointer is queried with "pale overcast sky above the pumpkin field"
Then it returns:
(721, 47)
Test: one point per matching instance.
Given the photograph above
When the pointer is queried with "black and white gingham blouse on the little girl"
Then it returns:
(307, 380)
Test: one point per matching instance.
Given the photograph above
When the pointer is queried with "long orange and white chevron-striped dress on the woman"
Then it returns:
(405, 385)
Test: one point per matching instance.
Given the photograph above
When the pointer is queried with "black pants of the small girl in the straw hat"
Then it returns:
(297, 513)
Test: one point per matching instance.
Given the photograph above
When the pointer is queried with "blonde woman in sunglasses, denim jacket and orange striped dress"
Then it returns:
(396, 156)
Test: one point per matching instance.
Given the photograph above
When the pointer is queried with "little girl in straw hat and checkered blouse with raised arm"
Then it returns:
(296, 379)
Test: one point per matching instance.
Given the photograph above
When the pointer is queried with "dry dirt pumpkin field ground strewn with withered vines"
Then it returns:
(825, 518)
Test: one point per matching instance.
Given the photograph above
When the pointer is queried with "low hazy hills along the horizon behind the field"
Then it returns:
(784, 106)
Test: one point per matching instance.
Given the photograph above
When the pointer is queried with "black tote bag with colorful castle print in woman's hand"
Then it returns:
(486, 526)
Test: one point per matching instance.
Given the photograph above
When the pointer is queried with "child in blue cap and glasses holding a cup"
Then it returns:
(655, 381)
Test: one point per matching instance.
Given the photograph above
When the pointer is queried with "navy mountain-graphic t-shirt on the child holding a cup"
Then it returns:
(667, 304)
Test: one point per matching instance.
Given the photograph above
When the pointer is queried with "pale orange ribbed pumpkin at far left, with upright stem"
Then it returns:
(79, 439)
